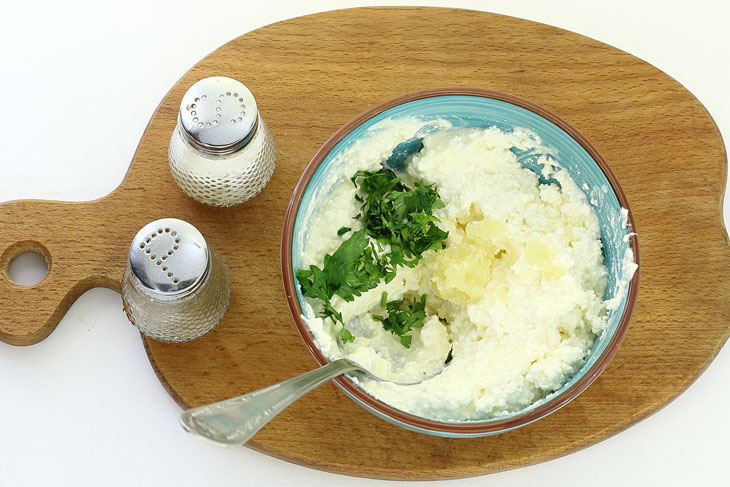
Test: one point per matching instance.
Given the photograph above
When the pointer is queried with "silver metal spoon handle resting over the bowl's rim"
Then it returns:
(234, 421)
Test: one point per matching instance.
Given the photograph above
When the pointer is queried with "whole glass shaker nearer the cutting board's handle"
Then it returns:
(175, 288)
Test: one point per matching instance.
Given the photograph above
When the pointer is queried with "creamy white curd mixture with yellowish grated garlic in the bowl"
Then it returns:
(517, 292)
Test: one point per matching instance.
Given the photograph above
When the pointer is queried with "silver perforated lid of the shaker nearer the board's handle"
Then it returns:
(169, 257)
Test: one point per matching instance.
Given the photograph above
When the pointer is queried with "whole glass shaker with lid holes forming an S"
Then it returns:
(221, 152)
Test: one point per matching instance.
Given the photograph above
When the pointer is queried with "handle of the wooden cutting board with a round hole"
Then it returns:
(80, 249)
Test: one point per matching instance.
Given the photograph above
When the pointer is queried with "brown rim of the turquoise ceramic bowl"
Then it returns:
(467, 427)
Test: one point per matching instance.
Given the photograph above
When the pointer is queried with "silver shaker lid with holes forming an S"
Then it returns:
(218, 115)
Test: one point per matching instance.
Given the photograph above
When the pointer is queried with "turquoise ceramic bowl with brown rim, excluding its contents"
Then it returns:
(479, 108)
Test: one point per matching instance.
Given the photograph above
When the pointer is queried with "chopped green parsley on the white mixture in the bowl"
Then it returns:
(398, 227)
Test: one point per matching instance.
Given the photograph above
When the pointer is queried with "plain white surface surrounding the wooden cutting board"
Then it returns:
(80, 79)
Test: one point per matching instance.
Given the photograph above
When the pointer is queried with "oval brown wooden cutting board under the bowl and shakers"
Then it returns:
(312, 74)
